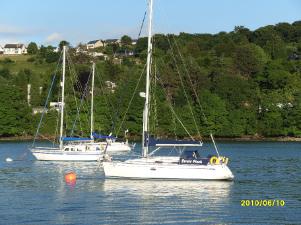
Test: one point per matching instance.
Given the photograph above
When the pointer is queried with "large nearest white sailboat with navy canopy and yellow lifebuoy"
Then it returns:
(188, 166)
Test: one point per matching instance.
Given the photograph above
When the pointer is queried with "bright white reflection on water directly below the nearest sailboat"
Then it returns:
(205, 190)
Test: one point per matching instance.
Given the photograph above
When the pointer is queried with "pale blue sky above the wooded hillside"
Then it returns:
(78, 21)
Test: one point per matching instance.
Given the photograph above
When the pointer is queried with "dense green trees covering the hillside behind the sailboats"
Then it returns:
(241, 83)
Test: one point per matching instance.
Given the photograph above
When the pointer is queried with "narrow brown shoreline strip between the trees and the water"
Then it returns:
(205, 139)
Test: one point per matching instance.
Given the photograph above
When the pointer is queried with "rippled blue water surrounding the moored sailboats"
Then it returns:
(33, 192)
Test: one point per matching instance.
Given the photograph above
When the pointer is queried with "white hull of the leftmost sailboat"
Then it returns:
(58, 155)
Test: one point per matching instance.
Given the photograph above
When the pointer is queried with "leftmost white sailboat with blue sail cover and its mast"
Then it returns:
(76, 149)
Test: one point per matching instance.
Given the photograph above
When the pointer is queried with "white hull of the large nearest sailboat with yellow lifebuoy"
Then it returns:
(157, 169)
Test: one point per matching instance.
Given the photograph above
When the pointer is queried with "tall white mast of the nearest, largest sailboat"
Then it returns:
(148, 70)
